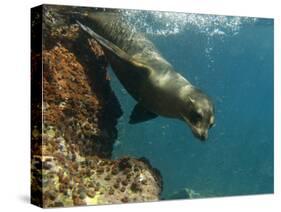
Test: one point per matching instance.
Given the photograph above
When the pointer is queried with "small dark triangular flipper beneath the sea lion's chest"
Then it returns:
(140, 114)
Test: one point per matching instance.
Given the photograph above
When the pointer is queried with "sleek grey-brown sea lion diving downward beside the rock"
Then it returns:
(147, 76)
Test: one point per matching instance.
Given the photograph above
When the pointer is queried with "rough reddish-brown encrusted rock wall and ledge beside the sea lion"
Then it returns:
(71, 155)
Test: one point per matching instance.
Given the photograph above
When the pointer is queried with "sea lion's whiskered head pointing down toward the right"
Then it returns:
(197, 111)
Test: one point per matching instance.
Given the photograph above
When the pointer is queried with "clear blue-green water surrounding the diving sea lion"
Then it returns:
(231, 59)
